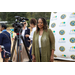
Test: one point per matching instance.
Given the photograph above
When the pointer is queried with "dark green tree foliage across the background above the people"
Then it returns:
(10, 16)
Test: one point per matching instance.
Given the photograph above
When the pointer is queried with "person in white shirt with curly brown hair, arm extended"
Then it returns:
(33, 23)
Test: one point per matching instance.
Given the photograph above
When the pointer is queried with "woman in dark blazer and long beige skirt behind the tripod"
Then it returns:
(26, 31)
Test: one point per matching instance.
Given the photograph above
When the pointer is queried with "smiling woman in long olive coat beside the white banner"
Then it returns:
(43, 43)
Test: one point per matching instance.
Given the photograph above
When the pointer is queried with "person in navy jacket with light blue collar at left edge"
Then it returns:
(5, 40)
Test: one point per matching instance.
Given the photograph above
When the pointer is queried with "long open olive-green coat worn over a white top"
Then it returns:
(47, 43)
